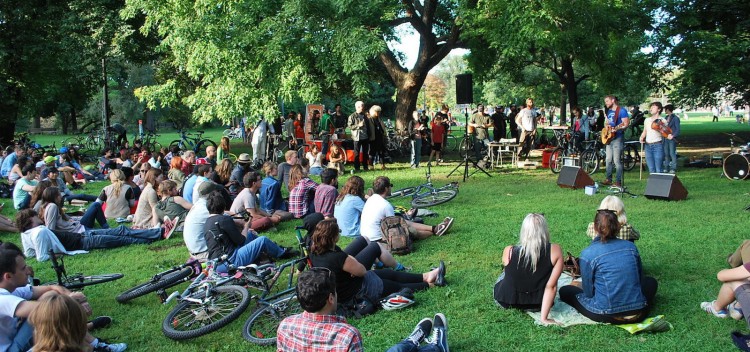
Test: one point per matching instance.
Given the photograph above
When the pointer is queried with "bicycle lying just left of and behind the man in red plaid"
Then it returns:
(260, 328)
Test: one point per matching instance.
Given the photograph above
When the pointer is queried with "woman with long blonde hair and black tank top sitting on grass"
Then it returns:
(532, 268)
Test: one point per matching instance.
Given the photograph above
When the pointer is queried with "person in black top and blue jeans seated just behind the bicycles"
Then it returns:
(242, 248)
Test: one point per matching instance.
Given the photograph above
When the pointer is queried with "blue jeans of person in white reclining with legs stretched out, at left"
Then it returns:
(118, 237)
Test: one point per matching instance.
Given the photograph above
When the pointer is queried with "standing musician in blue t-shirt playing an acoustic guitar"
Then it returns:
(617, 119)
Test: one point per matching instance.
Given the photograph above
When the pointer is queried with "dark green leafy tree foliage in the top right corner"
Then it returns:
(709, 44)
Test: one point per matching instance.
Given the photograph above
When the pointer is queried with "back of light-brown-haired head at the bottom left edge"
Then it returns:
(59, 324)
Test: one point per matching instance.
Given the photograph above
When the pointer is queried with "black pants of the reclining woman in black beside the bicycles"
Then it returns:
(393, 281)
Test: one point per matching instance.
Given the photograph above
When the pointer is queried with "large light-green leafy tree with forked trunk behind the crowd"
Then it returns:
(248, 55)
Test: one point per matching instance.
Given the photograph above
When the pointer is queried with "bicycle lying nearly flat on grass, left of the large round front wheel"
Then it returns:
(162, 281)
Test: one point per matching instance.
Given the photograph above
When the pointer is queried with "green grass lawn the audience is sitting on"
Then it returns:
(683, 245)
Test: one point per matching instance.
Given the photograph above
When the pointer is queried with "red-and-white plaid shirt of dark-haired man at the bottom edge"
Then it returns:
(317, 333)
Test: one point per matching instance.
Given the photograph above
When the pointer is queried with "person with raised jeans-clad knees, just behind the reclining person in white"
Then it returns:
(53, 215)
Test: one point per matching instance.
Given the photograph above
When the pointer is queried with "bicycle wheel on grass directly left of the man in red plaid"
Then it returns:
(260, 328)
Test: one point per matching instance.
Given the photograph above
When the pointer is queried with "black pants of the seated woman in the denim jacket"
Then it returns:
(648, 287)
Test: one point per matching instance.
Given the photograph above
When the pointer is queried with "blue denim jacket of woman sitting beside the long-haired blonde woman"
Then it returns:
(611, 277)
